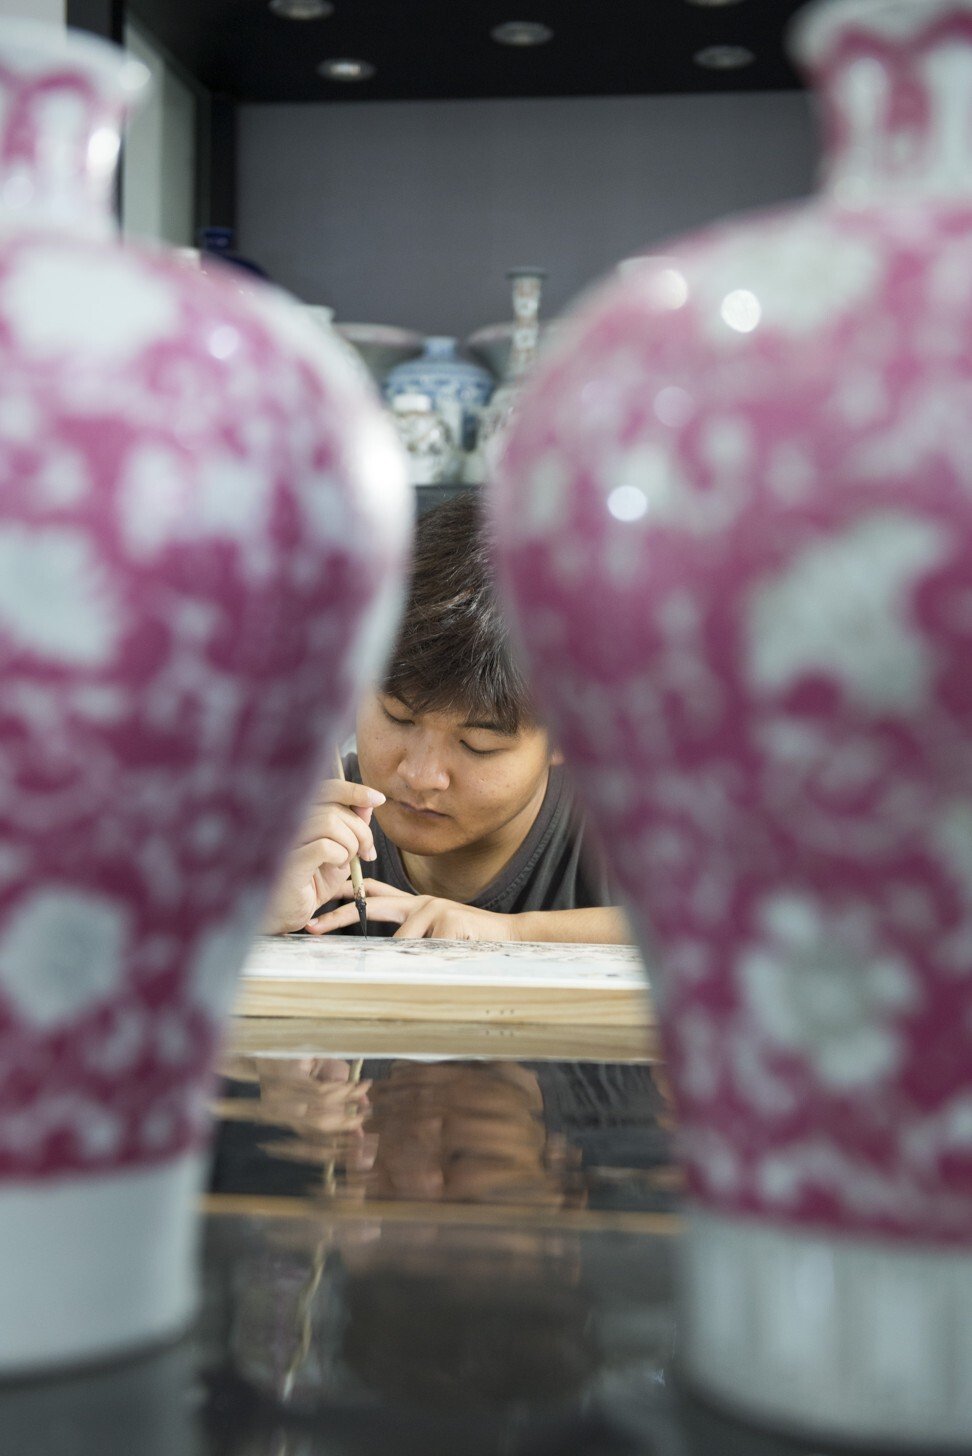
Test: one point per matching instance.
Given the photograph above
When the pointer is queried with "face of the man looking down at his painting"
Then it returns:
(449, 784)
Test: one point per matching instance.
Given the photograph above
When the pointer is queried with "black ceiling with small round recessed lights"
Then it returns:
(427, 50)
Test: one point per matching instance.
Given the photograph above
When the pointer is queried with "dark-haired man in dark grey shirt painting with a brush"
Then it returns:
(461, 807)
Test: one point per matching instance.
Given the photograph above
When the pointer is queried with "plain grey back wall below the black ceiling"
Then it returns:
(411, 212)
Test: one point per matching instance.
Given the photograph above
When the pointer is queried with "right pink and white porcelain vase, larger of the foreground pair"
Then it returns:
(736, 521)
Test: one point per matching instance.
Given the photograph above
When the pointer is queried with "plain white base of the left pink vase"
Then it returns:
(92, 1269)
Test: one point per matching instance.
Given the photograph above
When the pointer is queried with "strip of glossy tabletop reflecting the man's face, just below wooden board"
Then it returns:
(559, 1136)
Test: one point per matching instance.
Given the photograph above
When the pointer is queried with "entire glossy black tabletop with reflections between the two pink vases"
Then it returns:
(417, 1257)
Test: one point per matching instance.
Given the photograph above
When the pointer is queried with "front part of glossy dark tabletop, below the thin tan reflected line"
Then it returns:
(418, 1337)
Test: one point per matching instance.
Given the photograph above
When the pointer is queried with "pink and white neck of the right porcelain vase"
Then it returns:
(896, 82)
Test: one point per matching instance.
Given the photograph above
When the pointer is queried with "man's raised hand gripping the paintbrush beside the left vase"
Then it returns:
(316, 870)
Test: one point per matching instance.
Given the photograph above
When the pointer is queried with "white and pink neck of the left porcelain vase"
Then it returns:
(63, 98)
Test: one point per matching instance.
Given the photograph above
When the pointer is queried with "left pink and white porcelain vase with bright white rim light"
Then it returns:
(203, 528)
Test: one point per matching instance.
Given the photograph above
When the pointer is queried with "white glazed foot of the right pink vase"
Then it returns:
(859, 1339)
